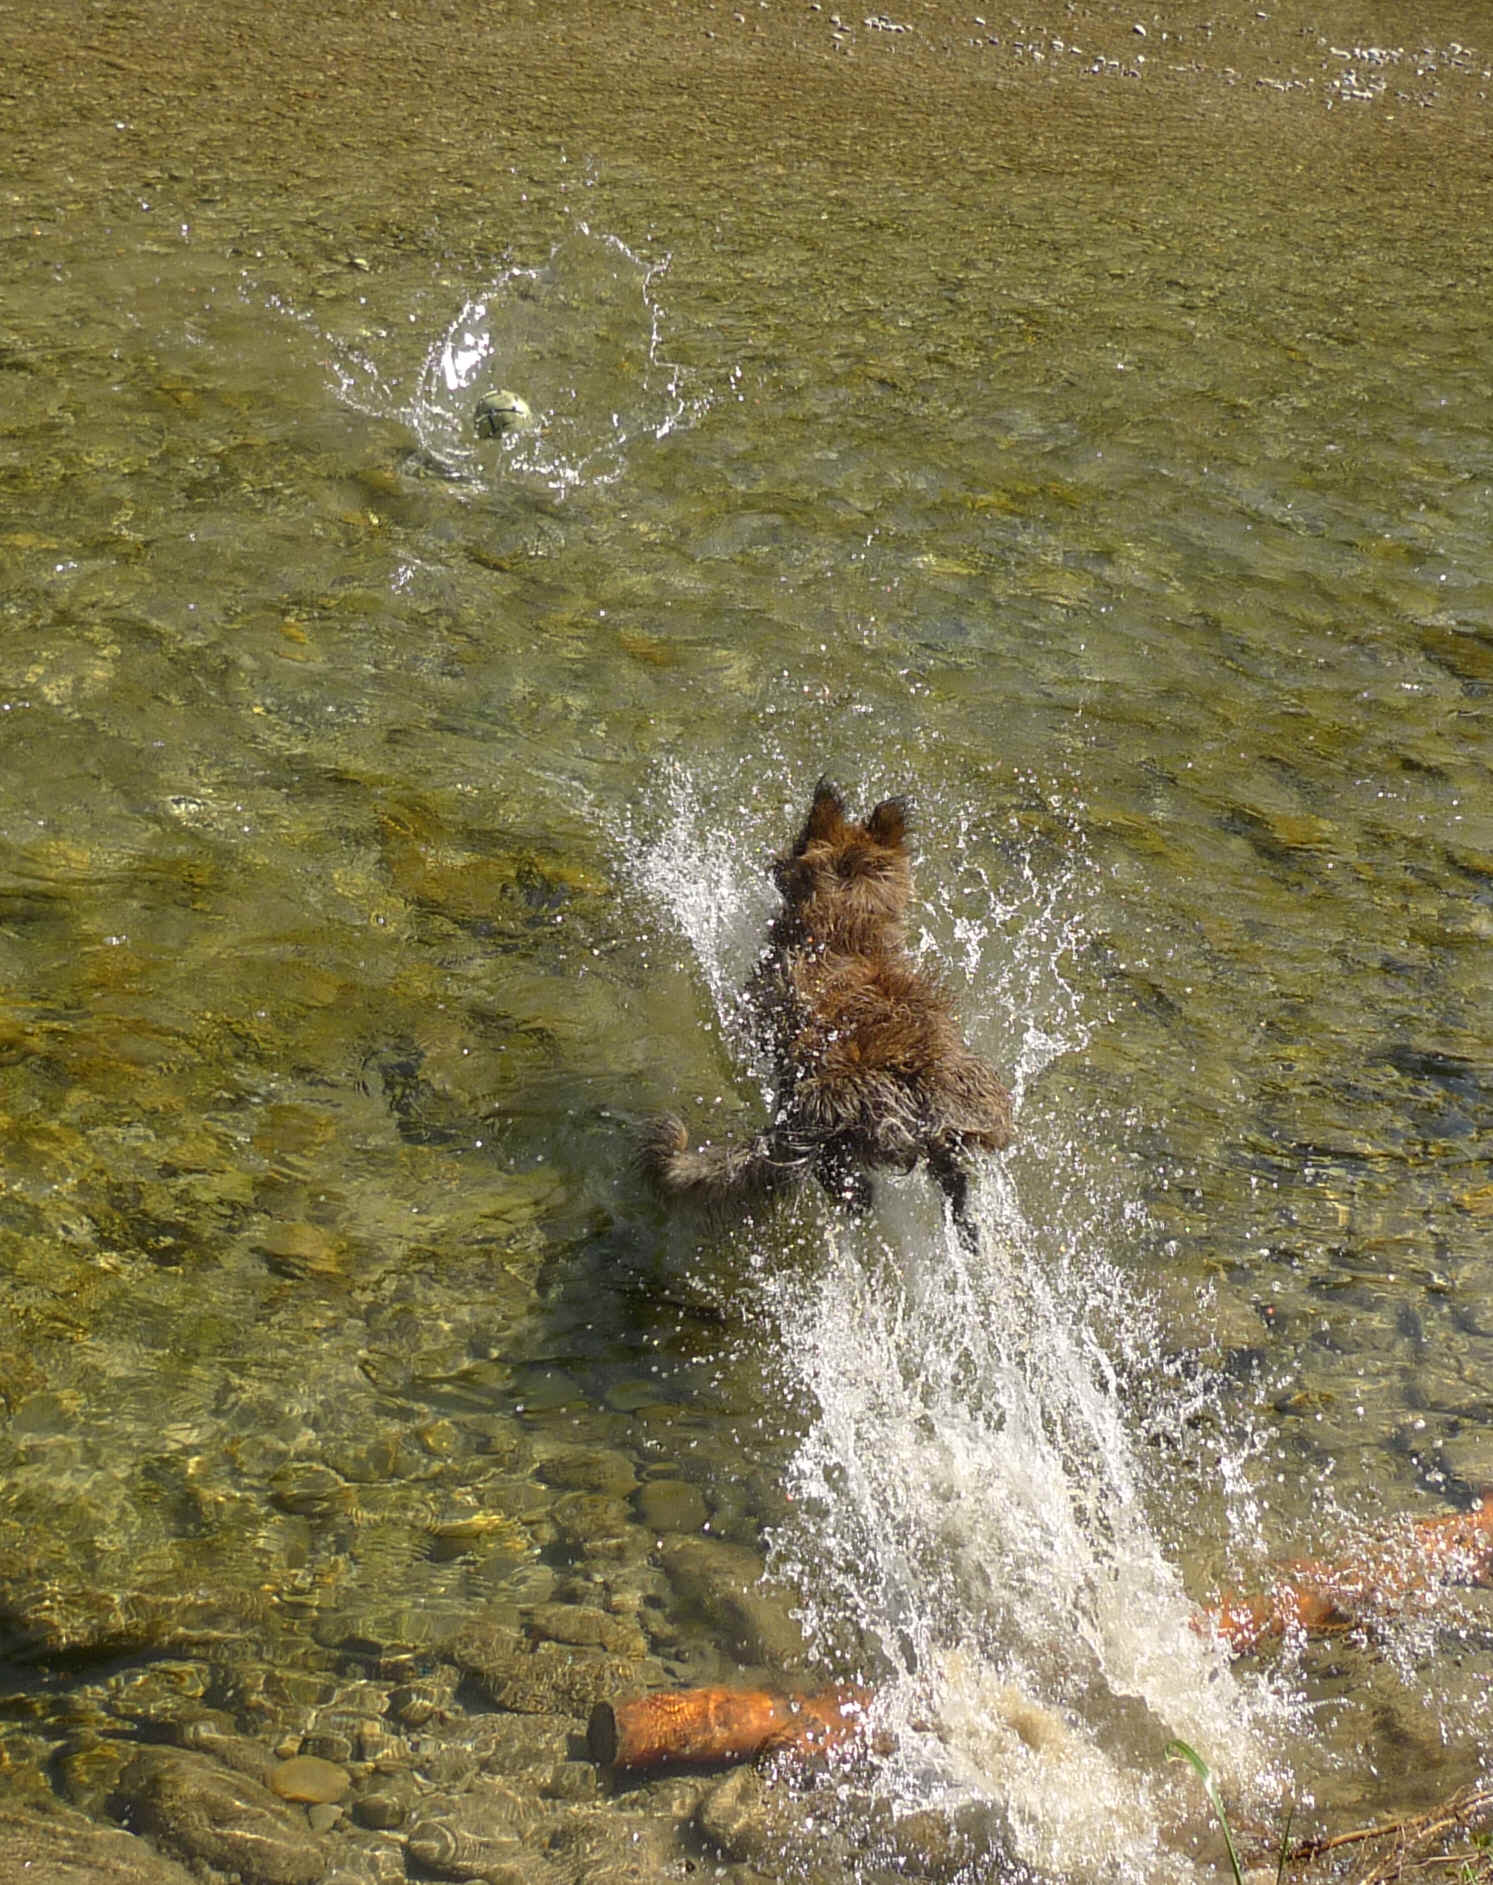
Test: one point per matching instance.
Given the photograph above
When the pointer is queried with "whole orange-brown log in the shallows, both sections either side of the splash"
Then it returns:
(712, 1728)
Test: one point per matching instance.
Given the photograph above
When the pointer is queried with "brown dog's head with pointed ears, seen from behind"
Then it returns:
(849, 883)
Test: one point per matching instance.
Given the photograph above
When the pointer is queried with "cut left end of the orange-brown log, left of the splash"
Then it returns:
(710, 1728)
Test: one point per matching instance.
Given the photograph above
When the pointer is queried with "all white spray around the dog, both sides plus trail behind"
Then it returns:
(970, 1500)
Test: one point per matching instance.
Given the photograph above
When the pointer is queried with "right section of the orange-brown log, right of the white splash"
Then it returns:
(1311, 1596)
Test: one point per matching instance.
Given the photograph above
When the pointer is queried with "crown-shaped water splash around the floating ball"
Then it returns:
(580, 338)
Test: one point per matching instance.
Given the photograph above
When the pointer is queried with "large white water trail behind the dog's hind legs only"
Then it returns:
(972, 1500)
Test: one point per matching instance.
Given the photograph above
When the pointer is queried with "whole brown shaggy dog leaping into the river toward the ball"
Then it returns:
(872, 1068)
